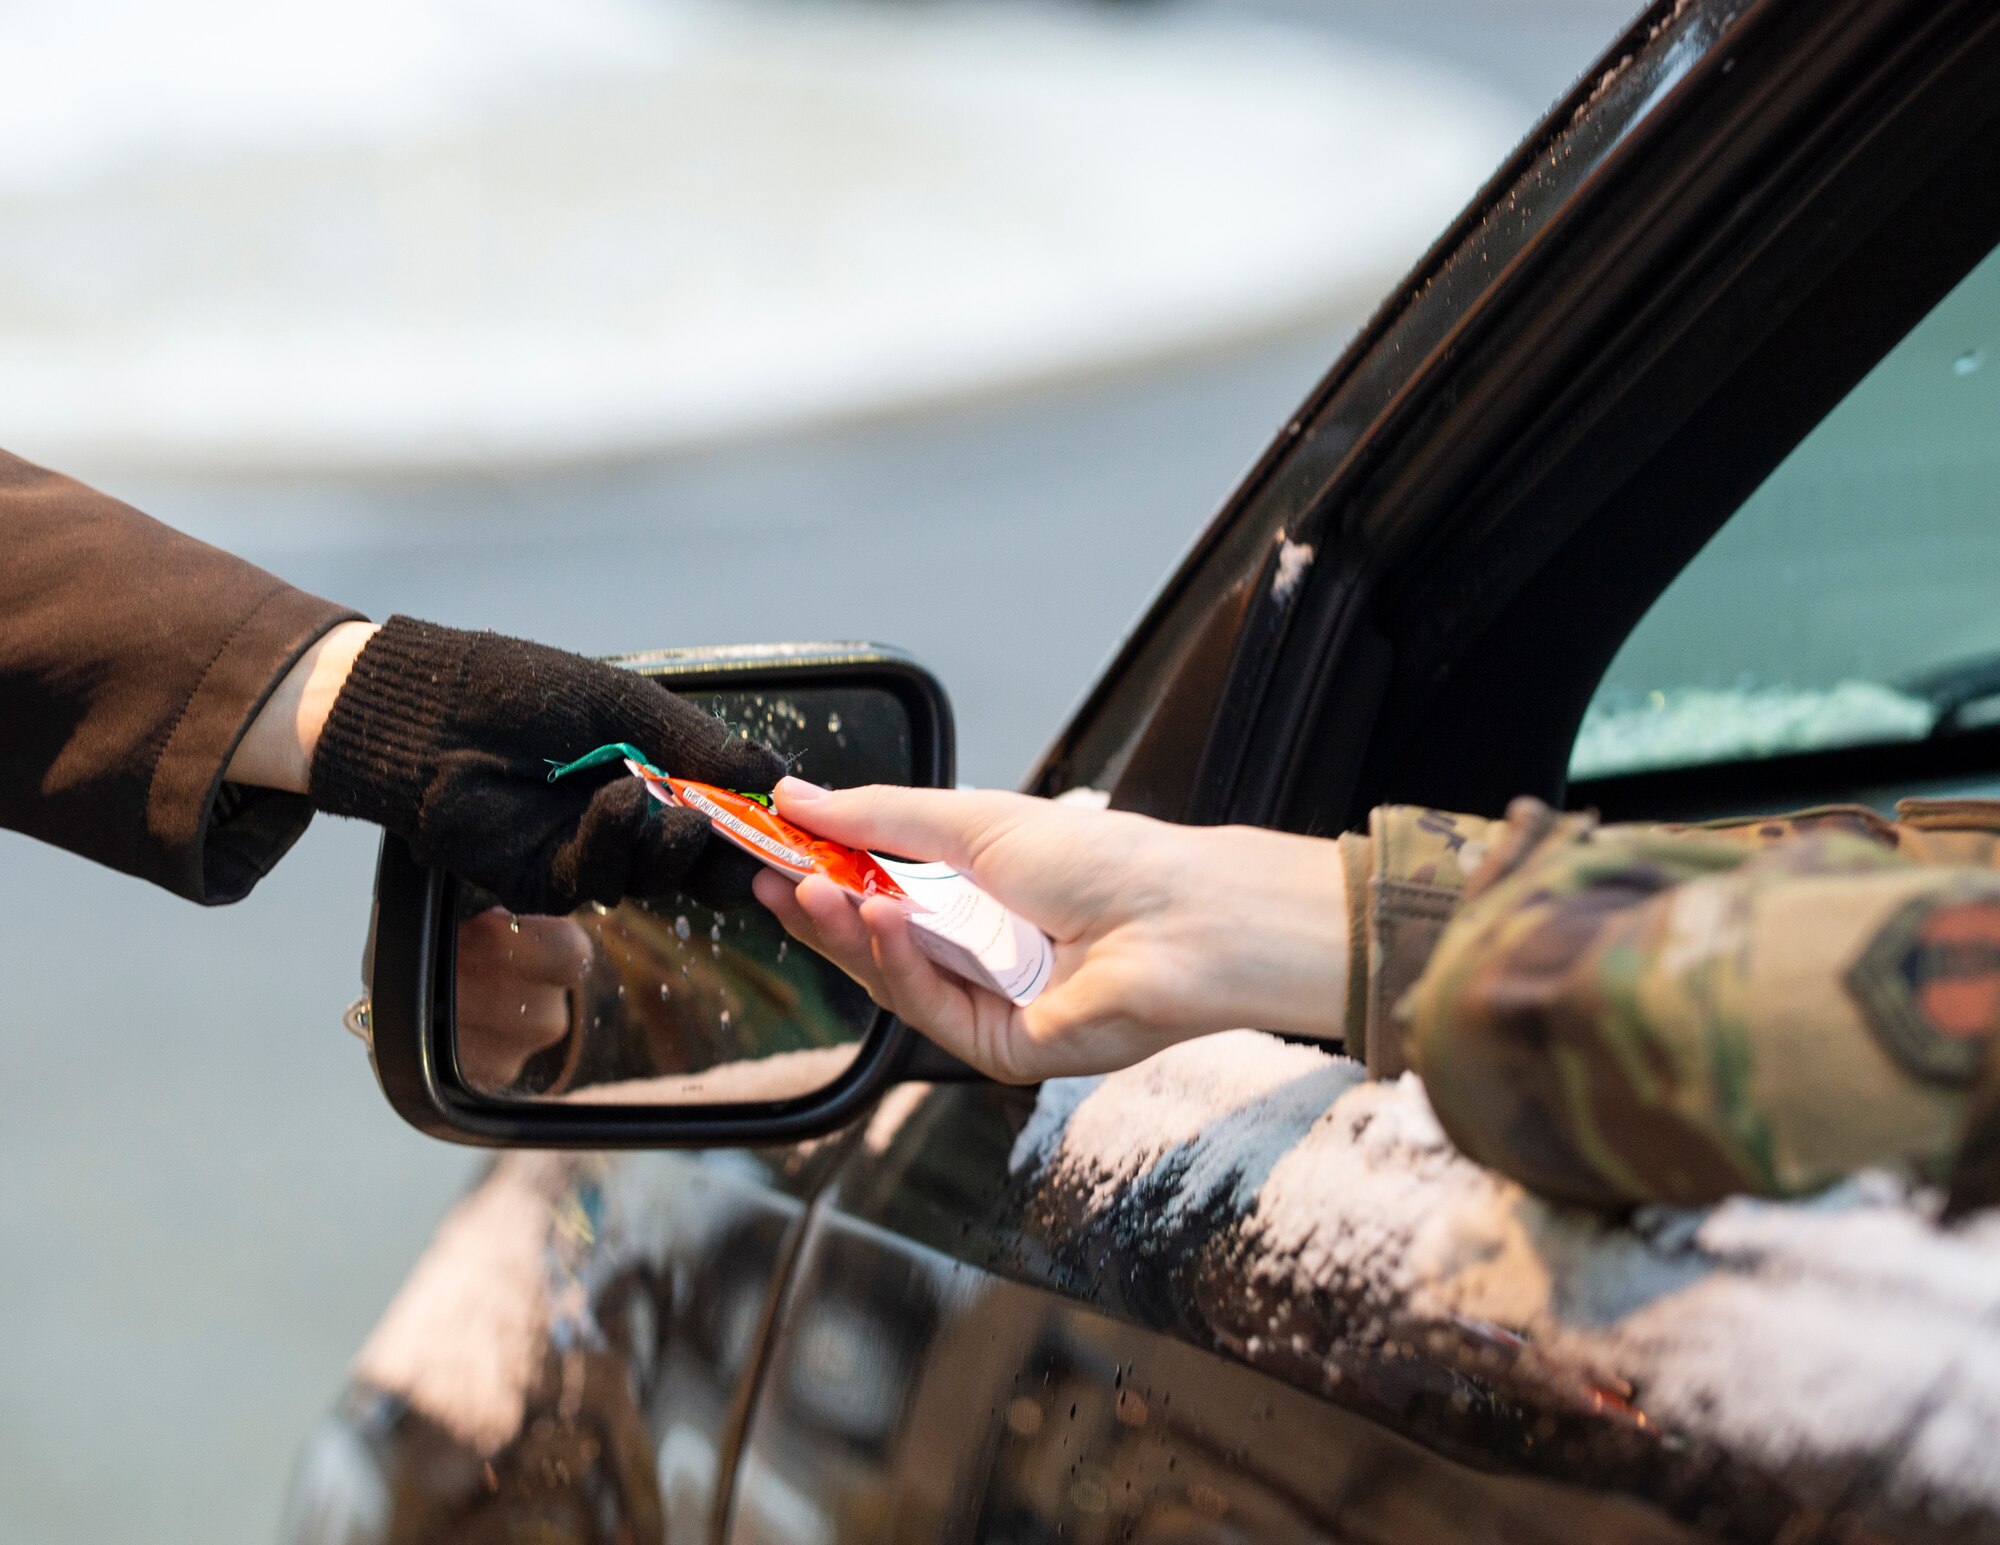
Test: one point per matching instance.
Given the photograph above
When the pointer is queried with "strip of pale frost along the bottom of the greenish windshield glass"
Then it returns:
(1629, 731)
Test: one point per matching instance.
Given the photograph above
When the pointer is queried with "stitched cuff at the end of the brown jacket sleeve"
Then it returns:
(209, 840)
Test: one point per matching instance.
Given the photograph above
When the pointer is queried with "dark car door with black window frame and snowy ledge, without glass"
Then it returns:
(1241, 1294)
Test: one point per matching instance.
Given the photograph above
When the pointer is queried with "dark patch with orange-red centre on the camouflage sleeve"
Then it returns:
(1929, 986)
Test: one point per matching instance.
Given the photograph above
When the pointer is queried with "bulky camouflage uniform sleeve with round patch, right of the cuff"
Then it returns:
(1649, 1014)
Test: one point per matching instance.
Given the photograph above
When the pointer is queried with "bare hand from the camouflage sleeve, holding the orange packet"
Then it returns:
(1163, 932)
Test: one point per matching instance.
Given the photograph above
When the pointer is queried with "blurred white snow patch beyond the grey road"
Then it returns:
(433, 233)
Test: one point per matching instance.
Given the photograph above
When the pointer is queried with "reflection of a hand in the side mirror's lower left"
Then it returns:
(513, 1000)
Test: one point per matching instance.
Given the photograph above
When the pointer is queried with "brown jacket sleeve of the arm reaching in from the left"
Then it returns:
(131, 663)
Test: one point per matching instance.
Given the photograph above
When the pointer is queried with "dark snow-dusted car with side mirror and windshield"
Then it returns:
(1667, 485)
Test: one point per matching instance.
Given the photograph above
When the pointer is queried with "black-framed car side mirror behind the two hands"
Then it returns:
(659, 1024)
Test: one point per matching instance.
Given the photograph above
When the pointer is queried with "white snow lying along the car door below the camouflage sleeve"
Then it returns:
(1797, 1336)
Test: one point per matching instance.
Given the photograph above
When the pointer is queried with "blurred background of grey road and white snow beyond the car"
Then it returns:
(559, 317)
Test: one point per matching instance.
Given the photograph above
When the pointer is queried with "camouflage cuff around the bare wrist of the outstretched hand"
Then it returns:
(1405, 884)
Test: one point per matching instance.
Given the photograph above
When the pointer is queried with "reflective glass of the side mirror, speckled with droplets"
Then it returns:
(669, 1002)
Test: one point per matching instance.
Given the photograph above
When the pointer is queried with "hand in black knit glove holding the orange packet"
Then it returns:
(447, 737)
